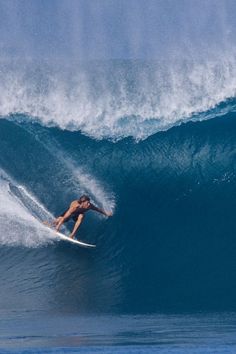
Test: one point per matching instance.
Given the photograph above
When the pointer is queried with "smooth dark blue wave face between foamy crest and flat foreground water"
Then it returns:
(170, 244)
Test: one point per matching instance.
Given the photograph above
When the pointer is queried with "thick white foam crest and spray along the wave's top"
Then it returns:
(122, 101)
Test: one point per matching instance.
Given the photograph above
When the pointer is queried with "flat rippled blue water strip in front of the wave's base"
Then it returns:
(50, 333)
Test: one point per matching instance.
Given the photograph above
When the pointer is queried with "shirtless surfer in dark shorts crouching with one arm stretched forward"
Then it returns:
(76, 212)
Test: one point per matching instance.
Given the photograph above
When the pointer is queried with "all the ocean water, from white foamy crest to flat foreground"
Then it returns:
(155, 144)
